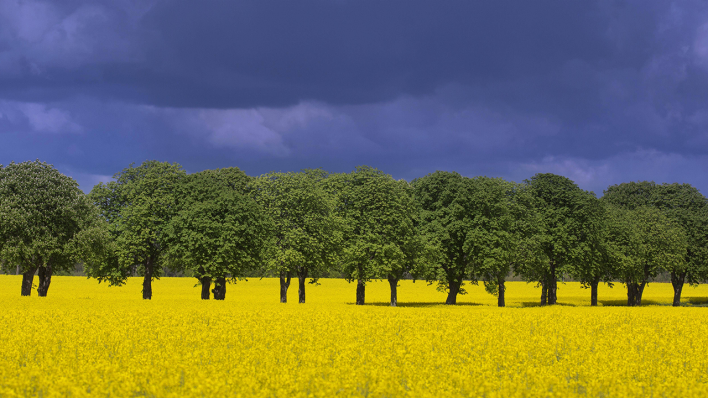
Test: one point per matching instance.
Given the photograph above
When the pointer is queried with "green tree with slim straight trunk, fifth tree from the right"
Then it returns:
(501, 231)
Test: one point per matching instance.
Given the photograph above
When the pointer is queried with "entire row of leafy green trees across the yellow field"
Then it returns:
(222, 225)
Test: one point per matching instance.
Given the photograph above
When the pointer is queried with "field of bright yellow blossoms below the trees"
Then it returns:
(87, 339)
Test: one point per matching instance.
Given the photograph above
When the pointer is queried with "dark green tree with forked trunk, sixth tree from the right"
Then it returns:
(446, 225)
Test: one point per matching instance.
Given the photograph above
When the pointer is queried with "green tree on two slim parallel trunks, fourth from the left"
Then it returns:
(307, 232)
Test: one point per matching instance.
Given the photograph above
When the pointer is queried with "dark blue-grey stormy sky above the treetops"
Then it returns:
(602, 92)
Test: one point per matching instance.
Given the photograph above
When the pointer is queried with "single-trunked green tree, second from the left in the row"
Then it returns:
(138, 205)
